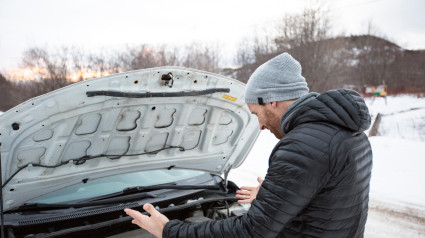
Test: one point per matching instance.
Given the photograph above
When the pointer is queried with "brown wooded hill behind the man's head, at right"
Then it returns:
(348, 60)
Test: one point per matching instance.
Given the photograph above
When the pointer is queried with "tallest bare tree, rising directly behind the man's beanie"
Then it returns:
(305, 37)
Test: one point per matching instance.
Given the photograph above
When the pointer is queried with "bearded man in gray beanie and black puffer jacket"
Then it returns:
(317, 184)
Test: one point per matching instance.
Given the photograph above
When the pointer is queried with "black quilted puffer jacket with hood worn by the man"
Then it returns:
(317, 184)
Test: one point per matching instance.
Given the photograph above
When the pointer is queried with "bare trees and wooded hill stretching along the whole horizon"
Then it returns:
(328, 62)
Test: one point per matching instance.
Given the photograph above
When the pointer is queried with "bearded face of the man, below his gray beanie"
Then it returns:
(268, 117)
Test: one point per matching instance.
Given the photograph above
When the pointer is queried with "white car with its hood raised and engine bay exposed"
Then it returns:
(73, 159)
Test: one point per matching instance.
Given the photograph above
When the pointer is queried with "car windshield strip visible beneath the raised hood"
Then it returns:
(107, 185)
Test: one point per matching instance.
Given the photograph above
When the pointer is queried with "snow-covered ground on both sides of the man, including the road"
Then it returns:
(397, 192)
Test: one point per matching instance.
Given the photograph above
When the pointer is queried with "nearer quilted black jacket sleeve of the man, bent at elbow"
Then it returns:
(295, 175)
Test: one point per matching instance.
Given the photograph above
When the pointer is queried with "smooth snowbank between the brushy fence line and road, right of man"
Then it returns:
(398, 171)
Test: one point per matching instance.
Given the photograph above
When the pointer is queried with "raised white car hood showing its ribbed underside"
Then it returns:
(167, 117)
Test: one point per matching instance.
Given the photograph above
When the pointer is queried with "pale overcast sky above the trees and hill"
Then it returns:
(113, 24)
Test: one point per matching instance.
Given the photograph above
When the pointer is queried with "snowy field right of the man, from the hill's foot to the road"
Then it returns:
(399, 151)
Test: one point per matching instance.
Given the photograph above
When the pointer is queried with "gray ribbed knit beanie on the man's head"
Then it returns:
(279, 79)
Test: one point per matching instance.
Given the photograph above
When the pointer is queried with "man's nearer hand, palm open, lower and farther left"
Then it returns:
(153, 224)
